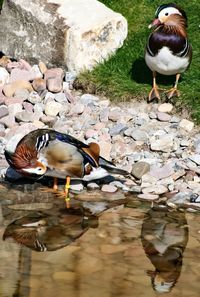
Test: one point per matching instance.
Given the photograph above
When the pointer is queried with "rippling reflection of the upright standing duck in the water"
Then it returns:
(164, 238)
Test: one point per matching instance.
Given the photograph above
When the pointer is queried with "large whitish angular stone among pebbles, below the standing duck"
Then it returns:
(163, 143)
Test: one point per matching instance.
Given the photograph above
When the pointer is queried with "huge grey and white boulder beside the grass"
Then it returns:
(76, 34)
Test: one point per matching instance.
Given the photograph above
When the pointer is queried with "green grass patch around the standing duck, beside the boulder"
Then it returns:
(125, 75)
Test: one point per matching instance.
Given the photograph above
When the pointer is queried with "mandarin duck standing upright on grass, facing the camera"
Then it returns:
(168, 51)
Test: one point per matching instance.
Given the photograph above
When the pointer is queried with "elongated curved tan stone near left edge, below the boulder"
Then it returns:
(10, 89)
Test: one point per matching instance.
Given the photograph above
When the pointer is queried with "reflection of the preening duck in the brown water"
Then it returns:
(41, 232)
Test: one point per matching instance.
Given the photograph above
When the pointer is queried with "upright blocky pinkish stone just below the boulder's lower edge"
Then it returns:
(54, 79)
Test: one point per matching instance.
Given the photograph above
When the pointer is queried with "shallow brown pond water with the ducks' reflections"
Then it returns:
(102, 248)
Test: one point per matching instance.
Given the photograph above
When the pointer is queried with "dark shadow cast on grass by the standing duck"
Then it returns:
(141, 74)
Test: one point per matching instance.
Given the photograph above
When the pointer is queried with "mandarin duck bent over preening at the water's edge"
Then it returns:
(51, 153)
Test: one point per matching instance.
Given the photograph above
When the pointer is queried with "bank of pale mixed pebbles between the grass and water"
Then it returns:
(159, 148)
